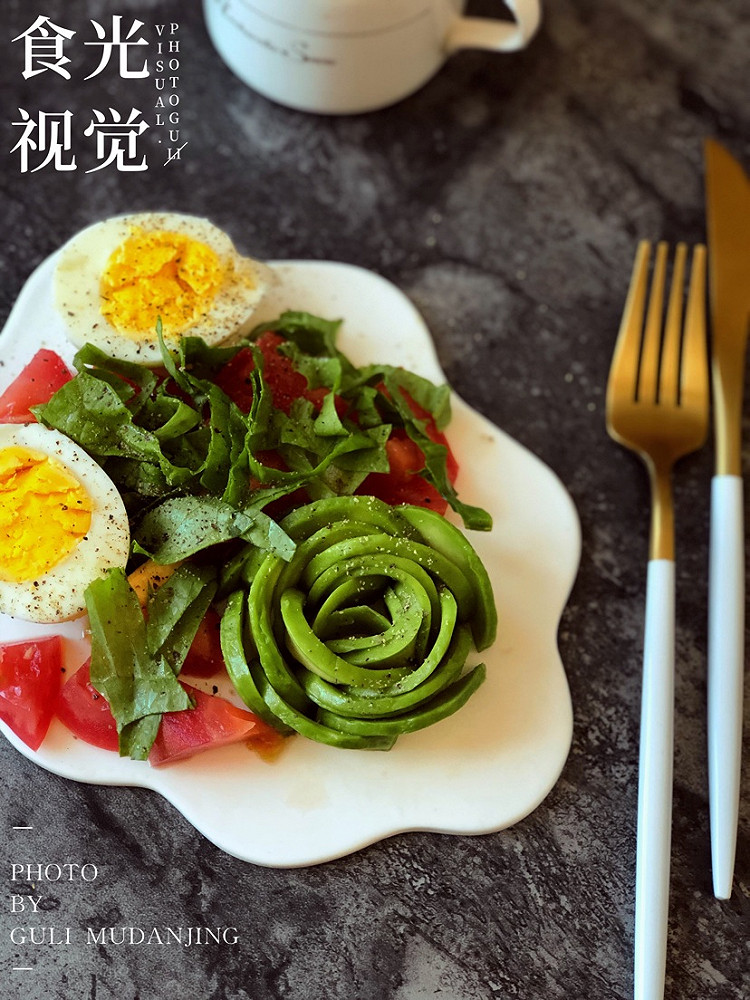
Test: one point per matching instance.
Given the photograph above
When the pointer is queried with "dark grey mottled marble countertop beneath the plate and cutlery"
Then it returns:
(505, 199)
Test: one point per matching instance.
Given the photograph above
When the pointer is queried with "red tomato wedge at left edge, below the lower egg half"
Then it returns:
(30, 673)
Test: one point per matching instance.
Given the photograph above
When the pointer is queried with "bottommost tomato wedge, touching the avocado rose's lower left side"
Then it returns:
(214, 722)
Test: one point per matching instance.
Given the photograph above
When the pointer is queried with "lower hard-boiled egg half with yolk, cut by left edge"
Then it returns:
(62, 524)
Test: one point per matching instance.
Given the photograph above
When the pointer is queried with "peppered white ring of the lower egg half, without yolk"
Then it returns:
(58, 594)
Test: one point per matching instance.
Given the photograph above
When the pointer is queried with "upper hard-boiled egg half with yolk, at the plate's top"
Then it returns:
(118, 278)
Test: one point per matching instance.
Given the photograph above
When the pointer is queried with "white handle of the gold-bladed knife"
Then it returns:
(726, 632)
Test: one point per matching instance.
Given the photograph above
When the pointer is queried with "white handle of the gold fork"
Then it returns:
(655, 784)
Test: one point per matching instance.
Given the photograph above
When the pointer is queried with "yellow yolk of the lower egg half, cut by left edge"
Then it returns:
(44, 513)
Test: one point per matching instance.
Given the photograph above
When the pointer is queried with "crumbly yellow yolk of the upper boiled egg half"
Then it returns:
(159, 275)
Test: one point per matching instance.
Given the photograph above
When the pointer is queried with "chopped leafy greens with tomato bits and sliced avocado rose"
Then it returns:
(299, 498)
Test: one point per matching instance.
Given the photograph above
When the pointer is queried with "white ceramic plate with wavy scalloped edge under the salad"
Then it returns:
(479, 771)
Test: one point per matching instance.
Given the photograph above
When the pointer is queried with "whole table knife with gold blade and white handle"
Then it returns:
(728, 230)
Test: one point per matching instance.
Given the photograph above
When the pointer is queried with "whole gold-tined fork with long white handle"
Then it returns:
(657, 405)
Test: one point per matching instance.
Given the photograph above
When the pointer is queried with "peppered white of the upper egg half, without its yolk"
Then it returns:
(84, 259)
